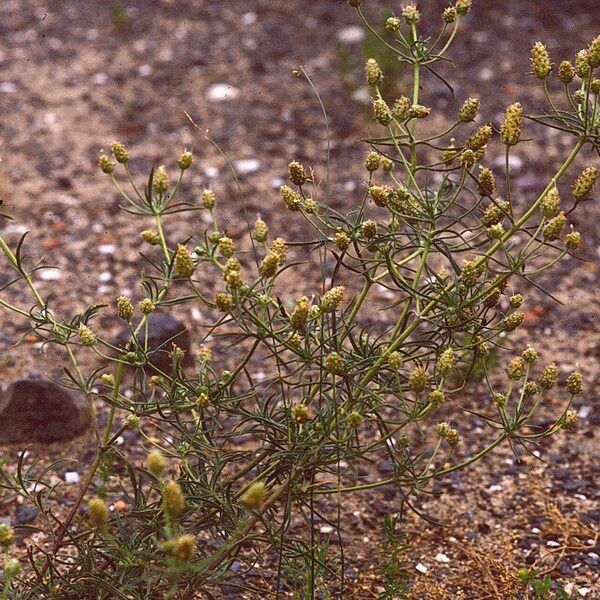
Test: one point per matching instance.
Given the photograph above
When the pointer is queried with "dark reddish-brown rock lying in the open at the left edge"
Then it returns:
(35, 409)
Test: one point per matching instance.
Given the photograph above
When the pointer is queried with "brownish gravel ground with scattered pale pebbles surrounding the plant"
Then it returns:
(74, 76)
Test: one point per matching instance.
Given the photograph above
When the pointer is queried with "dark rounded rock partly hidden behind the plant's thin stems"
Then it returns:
(164, 331)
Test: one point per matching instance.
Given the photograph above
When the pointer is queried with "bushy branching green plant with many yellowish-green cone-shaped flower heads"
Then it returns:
(436, 228)
